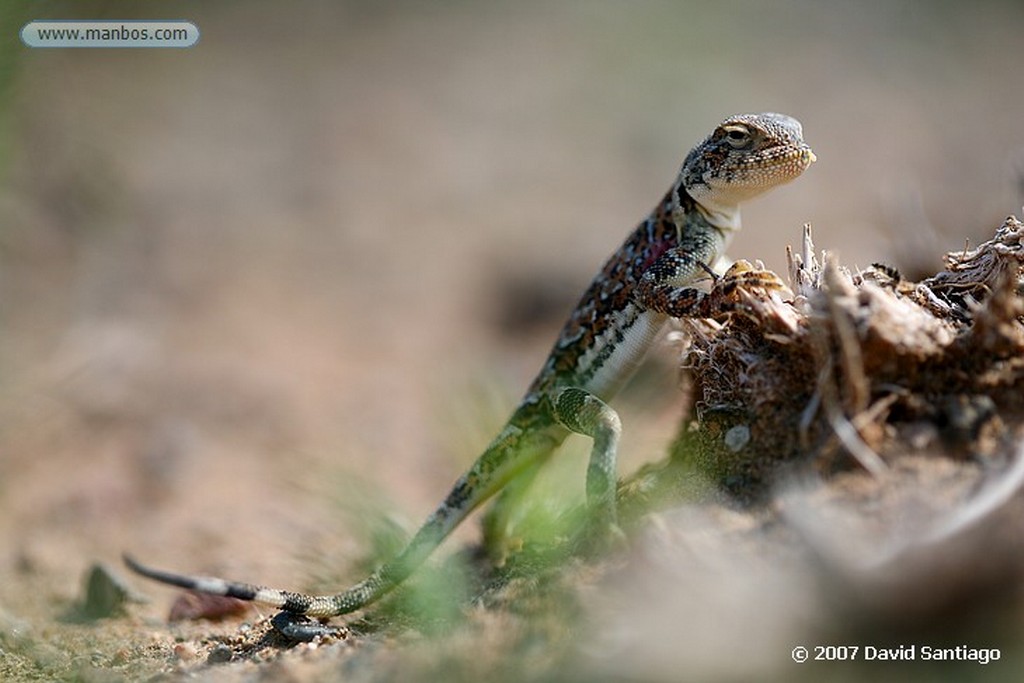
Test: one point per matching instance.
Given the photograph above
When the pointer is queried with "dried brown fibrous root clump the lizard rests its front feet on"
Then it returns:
(859, 368)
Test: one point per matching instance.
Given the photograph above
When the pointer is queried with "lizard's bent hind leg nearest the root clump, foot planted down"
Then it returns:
(585, 414)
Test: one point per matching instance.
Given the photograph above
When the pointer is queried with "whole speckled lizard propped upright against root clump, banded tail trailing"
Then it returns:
(651, 279)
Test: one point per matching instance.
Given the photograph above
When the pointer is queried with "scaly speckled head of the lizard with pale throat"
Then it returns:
(746, 156)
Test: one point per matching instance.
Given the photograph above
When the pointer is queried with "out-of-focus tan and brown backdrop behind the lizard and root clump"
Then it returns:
(322, 252)
